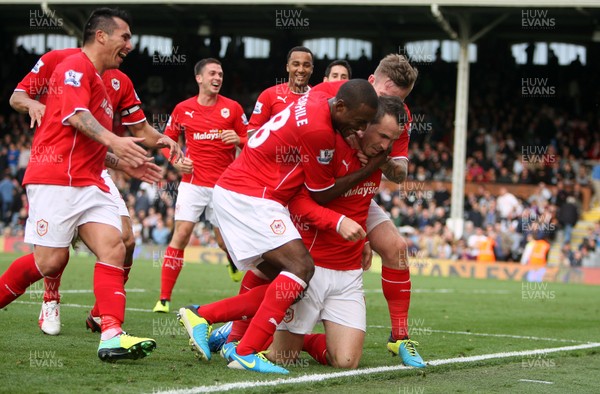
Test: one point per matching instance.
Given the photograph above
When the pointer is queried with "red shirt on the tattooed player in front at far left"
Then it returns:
(61, 154)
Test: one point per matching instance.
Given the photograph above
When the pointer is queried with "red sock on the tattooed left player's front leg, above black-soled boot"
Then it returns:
(110, 295)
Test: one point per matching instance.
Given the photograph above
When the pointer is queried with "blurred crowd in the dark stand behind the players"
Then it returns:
(550, 143)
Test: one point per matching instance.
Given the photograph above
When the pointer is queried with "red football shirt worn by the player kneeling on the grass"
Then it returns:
(318, 224)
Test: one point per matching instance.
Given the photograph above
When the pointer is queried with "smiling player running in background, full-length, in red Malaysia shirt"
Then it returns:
(213, 125)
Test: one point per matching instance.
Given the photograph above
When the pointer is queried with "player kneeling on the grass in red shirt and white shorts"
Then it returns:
(335, 294)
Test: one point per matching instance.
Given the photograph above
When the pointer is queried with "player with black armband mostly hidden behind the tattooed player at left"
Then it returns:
(120, 89)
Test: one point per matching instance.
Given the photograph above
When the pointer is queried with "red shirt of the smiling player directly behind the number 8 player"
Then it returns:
(270, 102)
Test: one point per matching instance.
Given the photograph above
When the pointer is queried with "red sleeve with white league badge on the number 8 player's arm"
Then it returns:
(317, 146)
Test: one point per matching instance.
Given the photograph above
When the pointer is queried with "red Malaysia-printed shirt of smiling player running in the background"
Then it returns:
(202, 126)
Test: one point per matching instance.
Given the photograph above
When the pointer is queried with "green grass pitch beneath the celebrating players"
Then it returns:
(451, 318)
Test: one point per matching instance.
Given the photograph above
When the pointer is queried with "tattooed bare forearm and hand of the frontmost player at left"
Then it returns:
(124, 147)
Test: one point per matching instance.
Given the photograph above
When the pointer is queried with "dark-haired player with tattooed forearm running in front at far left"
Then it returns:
(79, 117)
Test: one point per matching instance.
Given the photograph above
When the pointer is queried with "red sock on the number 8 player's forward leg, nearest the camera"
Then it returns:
(280, 294)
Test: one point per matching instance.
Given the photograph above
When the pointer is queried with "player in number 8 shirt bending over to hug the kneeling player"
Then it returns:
(294, 147)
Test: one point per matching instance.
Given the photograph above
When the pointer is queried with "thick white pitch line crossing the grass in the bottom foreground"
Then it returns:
(367, 371)
